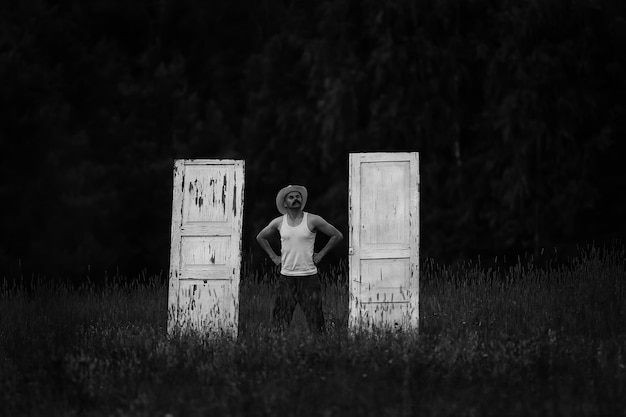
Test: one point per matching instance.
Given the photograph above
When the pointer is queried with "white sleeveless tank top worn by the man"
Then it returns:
(297, 248)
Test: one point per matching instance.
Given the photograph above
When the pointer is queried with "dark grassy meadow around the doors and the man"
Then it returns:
(492, 342)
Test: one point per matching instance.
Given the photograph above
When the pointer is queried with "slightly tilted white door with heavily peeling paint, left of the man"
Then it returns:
(205, 255)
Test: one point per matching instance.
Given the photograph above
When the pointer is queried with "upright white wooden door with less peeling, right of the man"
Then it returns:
(384, 240)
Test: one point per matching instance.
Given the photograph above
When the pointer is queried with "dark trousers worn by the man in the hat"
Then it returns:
(306, 291)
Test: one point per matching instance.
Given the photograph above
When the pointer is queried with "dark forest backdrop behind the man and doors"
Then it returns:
(516, 107)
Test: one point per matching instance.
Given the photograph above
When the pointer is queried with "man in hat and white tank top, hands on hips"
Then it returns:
(298, 281)
